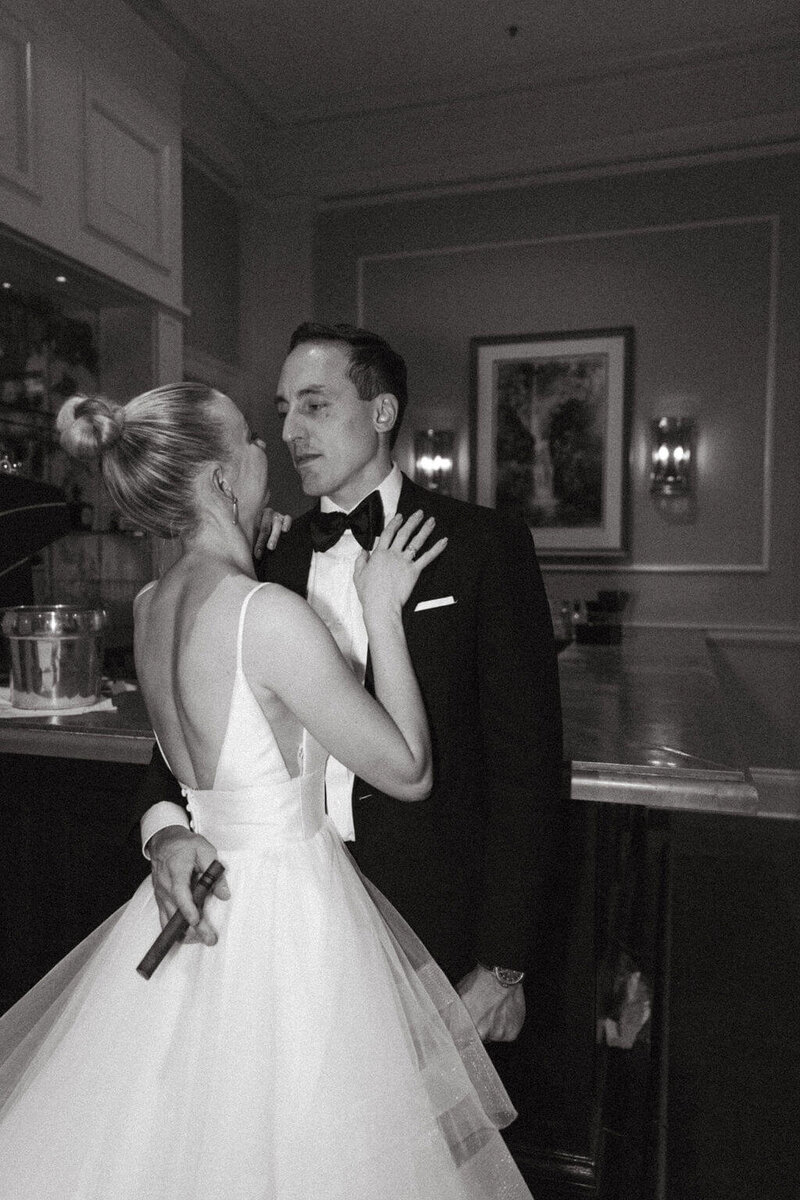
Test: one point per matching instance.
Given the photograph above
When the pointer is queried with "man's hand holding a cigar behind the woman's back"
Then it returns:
(176, 856)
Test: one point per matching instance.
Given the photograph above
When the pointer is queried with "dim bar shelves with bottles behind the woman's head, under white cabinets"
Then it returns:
(57, 339)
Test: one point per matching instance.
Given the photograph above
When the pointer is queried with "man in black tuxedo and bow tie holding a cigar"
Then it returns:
(467, 867)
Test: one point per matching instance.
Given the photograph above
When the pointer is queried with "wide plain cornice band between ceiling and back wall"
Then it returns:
(745, 100)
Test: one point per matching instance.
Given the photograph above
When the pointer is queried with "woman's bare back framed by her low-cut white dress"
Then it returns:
(187, 631)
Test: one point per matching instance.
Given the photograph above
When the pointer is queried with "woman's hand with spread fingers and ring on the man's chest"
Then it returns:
(386, 579)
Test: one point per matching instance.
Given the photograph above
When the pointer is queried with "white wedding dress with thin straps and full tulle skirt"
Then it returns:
(316, 1053)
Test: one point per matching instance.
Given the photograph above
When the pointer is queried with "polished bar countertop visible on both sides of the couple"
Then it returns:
(646, 724)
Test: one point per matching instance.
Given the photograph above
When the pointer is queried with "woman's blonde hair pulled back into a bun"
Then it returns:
(151, 451)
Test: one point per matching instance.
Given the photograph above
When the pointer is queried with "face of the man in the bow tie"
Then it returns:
(332, 434)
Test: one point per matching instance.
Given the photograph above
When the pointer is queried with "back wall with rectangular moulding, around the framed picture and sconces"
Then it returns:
(705, 263)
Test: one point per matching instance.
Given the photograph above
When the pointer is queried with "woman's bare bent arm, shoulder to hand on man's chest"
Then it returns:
(290, 651)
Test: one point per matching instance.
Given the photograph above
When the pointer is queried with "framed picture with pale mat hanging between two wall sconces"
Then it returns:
(549, 436)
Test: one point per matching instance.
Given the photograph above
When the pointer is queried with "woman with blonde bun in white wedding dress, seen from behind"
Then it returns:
(300, 1043)
